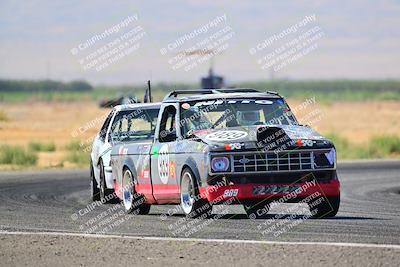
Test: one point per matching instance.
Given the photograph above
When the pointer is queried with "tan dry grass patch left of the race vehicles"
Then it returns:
(50, 123)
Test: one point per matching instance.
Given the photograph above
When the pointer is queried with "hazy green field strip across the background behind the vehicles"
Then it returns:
(326, 90)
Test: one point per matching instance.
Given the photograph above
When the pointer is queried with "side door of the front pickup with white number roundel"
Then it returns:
(163, 156)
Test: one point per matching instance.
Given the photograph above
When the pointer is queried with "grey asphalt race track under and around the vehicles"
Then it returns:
(57, 201)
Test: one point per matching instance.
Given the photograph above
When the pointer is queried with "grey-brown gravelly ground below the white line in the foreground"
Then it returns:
(43, 250)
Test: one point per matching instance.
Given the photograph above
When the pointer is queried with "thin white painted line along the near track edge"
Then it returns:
(336, 244)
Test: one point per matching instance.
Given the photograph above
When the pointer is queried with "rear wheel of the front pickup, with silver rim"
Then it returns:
(133, 203)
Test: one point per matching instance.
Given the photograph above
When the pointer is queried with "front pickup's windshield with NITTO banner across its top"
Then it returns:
(225, 113)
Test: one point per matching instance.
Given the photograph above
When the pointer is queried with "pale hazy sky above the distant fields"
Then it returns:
(357, 39)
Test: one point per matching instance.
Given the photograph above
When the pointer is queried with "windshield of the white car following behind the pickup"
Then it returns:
(131, 125)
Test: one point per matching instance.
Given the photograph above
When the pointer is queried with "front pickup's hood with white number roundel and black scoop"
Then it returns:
(271, 136)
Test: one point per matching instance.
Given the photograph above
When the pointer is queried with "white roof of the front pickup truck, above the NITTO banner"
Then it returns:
(205, 94)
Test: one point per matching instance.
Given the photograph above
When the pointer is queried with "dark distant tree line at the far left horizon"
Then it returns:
(43, 86)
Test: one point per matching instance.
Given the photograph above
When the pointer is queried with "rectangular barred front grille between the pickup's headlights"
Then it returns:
(271, 161)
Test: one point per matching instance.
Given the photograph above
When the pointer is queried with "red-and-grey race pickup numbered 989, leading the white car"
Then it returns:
(235, 146)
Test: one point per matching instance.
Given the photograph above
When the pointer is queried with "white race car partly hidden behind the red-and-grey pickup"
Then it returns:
(137, 121)
